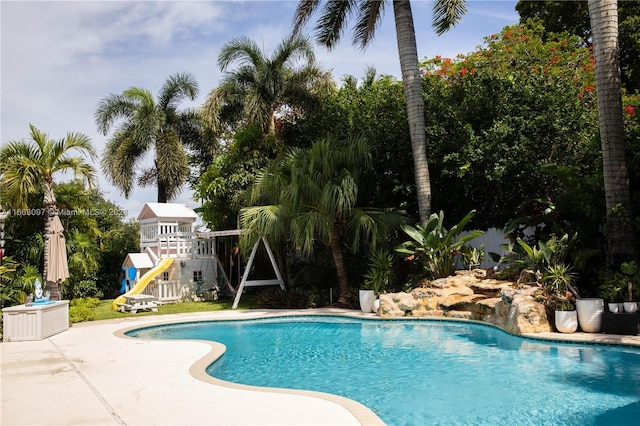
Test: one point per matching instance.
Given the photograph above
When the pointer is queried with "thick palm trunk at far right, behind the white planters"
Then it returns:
(620, 233)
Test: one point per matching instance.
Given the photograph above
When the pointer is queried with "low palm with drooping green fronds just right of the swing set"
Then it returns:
(310, 196)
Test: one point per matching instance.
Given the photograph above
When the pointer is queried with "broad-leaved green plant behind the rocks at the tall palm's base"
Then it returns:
(435, 247)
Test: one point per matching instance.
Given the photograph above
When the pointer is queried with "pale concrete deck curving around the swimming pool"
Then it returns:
(91, 375)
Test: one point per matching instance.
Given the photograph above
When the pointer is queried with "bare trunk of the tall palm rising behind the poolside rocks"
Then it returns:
(409, 67)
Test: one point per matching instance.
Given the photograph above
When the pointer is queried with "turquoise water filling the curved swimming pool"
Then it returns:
(427, 372)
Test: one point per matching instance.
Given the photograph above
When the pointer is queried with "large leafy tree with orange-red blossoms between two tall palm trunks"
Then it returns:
(496, 116)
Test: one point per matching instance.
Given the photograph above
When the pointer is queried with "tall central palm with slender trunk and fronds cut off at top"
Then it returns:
(369, 13)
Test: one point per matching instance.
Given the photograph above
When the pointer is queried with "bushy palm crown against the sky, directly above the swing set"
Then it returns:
(262, 86)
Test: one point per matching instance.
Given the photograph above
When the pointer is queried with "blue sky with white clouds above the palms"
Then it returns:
(60, 58)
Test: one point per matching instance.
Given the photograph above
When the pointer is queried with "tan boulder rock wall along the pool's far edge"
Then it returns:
(472, 295)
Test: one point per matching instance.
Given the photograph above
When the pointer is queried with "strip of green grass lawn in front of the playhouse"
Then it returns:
(103, 311)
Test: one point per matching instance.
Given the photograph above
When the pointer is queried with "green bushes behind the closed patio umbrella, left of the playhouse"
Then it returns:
(97, 241)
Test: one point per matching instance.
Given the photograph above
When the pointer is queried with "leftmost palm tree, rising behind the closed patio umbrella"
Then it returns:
(29, 166)
